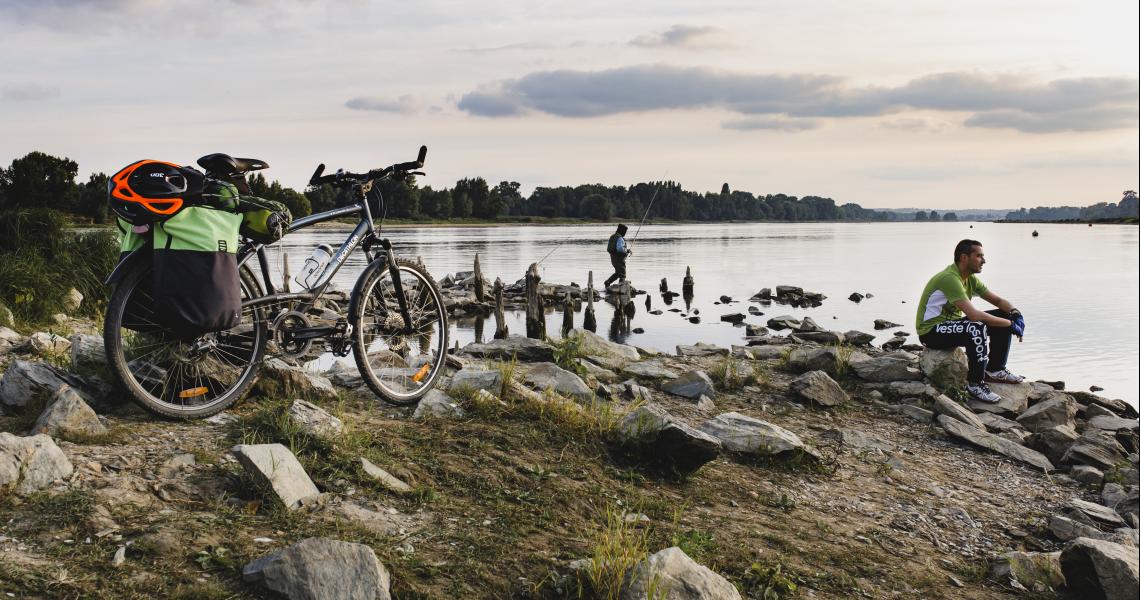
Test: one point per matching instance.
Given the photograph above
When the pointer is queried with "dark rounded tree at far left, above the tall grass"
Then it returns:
(40, 181)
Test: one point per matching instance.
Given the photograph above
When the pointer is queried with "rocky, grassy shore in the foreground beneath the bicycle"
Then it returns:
(811, 465)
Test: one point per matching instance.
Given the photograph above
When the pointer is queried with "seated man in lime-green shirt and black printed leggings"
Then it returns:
(948, 320)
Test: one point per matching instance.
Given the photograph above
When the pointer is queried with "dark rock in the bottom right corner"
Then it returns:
(1096, 569)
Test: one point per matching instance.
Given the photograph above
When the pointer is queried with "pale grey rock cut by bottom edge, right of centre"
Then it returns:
(672, 575)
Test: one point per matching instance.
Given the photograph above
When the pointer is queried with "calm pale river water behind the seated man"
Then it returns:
(1078, 286)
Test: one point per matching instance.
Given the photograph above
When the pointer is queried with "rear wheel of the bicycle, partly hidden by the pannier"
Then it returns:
(153, 378)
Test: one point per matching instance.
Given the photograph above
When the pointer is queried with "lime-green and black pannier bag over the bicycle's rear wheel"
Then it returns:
(197, 288)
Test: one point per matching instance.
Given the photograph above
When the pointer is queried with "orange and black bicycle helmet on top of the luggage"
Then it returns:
(145, 192)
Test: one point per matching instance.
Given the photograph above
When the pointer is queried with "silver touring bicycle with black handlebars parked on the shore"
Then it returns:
(396, 327)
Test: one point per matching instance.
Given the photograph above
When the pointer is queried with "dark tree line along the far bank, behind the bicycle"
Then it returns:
(39, 180)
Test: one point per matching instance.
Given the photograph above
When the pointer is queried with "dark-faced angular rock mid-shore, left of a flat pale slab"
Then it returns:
(667, 442)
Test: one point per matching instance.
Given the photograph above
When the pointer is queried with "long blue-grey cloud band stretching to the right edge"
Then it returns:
(1085, 104)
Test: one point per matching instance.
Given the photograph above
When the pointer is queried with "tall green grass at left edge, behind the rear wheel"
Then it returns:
(40, 261)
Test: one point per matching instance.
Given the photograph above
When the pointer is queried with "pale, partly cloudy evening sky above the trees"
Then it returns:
(887, 104)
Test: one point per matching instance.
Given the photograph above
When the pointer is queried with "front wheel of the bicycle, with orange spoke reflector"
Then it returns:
(398, 363)
